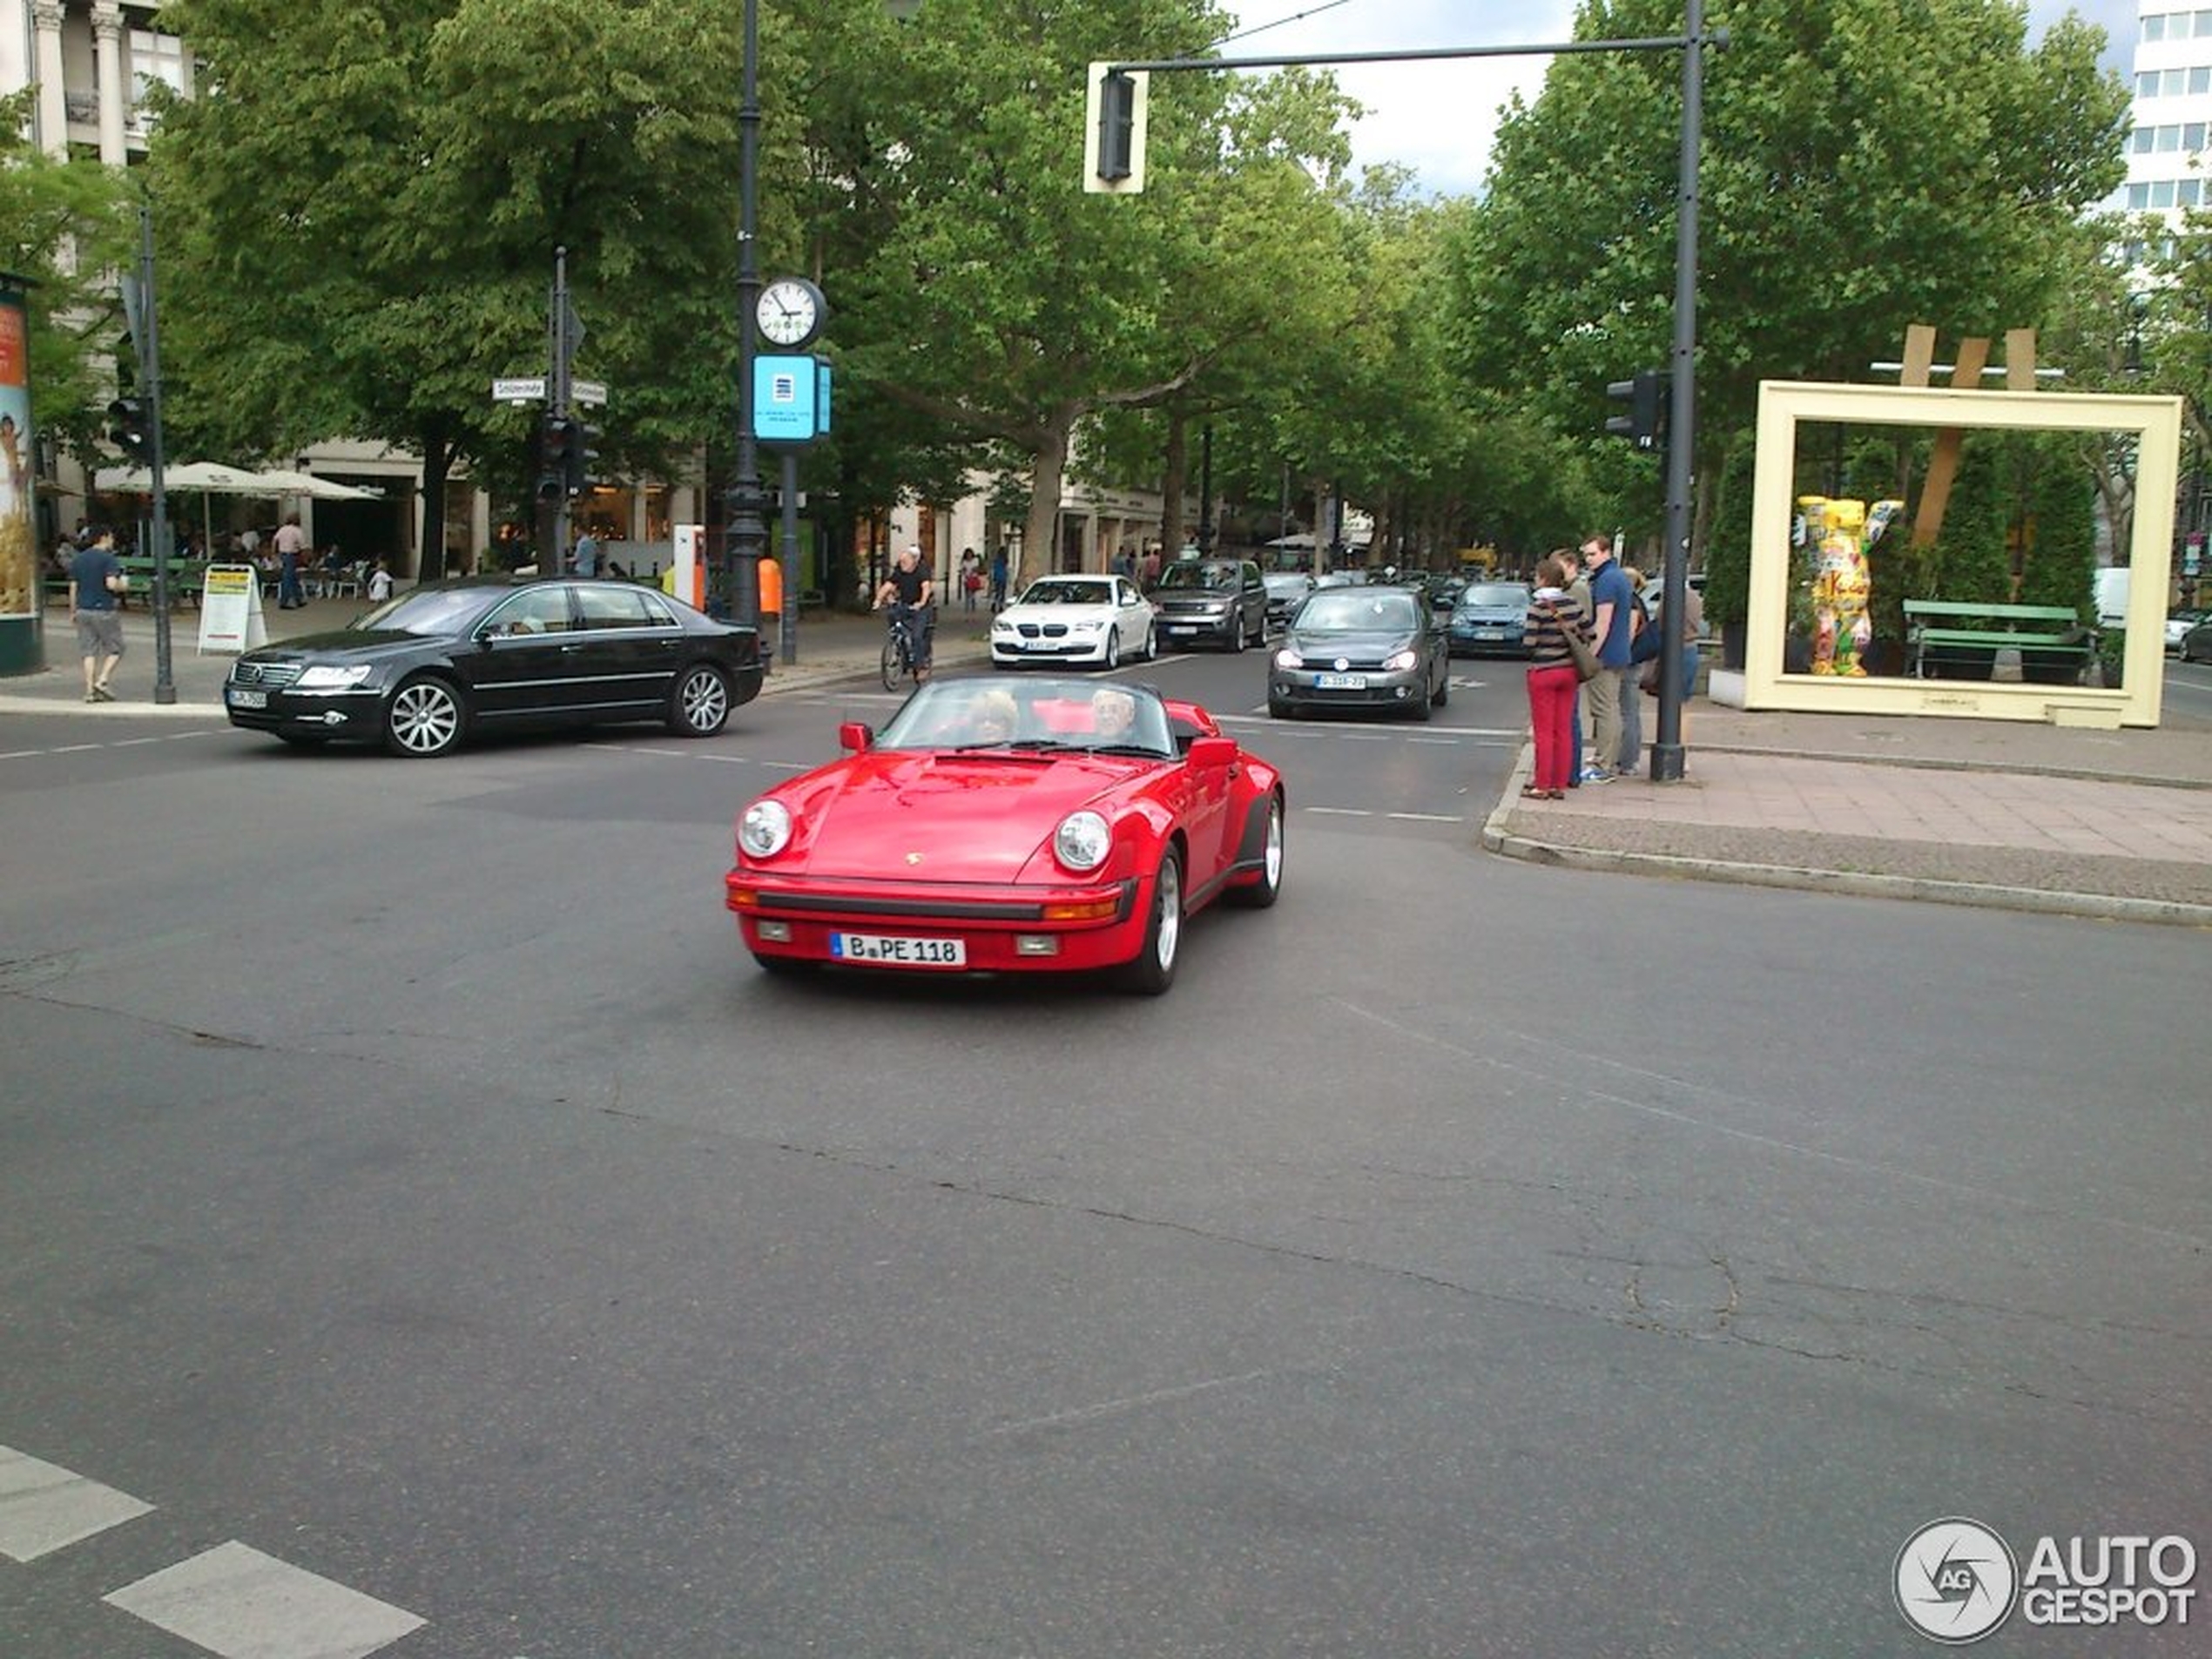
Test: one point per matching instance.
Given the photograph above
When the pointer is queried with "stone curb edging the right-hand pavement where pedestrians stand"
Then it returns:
(1853, 884)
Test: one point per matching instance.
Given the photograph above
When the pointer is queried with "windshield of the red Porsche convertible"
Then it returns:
(1032, 718)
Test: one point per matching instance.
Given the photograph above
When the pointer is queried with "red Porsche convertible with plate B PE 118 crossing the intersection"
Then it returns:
(1001, 826)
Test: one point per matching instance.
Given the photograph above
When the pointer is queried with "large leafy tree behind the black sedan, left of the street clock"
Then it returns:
(368, 198)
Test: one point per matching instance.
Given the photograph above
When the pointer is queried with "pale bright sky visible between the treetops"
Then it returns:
(1439, 116)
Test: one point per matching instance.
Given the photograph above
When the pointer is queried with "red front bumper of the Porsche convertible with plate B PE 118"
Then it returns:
(1061, 928)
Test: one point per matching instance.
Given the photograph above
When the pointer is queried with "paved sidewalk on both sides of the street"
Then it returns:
(1972, 813)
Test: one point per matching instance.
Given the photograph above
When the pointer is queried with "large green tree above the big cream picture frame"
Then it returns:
(1866, 165)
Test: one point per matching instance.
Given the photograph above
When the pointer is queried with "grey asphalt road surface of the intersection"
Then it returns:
(406, 1173)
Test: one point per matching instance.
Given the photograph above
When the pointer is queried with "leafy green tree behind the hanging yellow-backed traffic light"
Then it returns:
(999, 300)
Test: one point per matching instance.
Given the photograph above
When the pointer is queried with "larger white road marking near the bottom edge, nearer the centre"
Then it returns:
(244, 1605)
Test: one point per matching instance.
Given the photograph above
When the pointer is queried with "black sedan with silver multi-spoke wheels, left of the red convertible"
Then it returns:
(499, 654)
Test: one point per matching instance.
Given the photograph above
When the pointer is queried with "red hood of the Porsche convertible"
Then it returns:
(948, 817)
